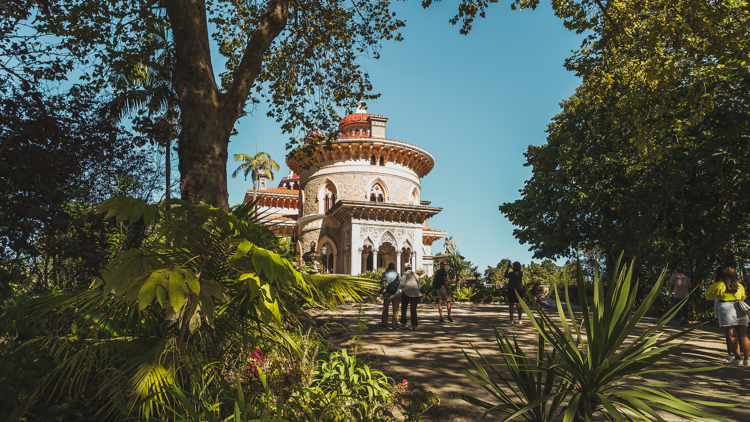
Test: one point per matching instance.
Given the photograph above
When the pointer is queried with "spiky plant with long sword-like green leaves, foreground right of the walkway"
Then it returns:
(605, 373)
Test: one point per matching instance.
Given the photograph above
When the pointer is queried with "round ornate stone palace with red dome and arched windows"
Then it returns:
(360, 208)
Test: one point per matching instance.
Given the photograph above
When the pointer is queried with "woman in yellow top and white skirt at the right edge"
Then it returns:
(729, 291)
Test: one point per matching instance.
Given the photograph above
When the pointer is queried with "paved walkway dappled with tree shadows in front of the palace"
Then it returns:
(431, 357)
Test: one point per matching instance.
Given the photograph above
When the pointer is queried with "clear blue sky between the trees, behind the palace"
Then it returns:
(474, 102)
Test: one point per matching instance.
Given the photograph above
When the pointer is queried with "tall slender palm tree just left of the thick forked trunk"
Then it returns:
(150, 87)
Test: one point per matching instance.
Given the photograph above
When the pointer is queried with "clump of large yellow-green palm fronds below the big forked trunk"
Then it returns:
(208, 277)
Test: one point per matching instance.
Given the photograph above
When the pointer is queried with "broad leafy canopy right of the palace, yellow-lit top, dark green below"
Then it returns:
(648, 155)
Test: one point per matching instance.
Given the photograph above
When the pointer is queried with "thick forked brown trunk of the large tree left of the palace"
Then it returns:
(207, 114)
